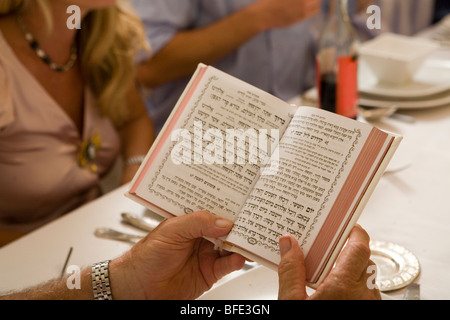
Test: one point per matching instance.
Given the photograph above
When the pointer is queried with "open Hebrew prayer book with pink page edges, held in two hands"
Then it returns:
(271, 167)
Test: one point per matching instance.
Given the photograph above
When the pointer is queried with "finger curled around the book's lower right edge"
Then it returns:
(356, 254)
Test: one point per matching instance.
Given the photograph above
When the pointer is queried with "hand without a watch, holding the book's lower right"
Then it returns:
(346, 281)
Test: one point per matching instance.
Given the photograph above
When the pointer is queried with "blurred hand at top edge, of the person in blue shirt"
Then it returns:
(283, 13)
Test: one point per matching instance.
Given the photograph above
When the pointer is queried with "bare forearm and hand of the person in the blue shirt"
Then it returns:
(180, 57)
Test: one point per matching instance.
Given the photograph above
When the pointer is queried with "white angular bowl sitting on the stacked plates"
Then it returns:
(393, 58)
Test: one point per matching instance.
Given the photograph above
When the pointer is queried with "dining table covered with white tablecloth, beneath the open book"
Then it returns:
(410, 209)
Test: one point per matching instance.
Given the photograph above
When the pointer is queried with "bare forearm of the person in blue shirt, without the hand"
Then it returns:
(182, 54)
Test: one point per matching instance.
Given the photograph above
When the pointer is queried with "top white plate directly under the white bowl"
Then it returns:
(432, 78)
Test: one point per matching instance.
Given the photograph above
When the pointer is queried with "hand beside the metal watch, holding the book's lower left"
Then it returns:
(174, 261)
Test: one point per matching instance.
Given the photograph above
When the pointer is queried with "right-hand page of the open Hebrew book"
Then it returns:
(317, 153)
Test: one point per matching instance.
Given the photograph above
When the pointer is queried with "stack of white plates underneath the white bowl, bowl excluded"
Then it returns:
(429, 88)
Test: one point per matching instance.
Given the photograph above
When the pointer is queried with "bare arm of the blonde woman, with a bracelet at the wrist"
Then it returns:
(137, 134)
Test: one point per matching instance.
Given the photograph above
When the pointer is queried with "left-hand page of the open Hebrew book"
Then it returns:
(213, 150)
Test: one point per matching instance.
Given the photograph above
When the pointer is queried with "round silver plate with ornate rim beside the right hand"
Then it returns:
(397, 266)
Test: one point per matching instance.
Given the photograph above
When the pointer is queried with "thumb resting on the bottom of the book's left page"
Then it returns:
(197, 225)
